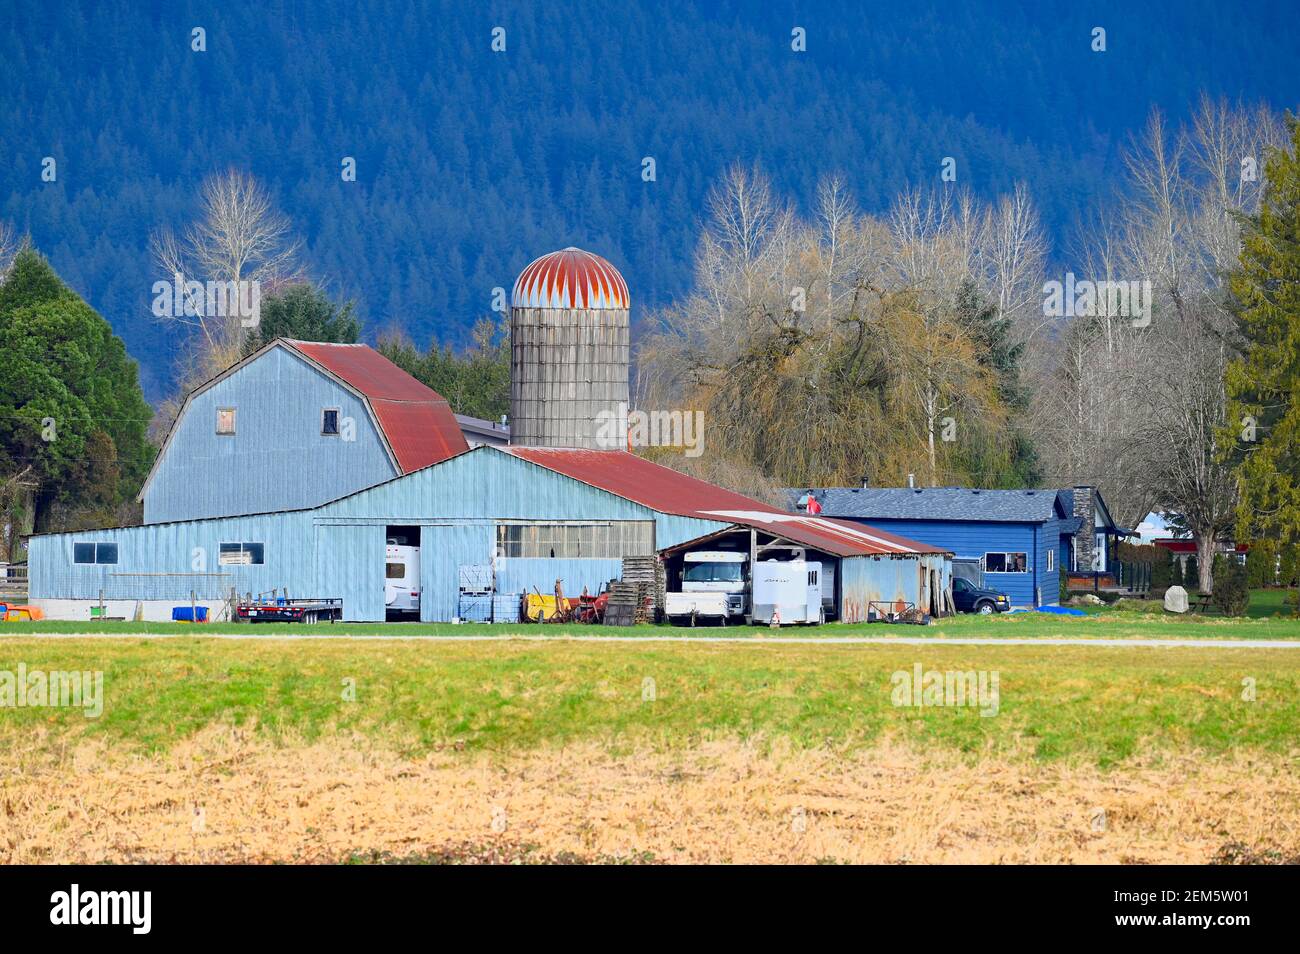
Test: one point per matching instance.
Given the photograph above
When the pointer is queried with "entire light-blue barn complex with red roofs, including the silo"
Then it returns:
(300, 472)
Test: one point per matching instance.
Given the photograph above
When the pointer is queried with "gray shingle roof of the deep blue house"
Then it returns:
(935, 504)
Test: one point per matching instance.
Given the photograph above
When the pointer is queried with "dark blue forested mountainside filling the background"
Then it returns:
(471, 162)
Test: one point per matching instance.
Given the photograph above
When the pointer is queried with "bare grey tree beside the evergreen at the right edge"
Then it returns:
(1133, 406)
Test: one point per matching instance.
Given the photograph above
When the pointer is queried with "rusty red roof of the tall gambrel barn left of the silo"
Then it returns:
(415, 420)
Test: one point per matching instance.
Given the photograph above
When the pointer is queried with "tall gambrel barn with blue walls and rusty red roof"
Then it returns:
(293, 426)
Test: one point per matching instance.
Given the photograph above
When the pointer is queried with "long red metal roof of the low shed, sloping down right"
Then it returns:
(670, 492)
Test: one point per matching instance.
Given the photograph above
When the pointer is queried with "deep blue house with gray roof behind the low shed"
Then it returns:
(1016, 541)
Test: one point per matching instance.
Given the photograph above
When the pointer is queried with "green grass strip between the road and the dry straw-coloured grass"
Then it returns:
(1100, 705)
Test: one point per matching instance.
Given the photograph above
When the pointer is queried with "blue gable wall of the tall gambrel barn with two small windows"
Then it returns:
(278, 459)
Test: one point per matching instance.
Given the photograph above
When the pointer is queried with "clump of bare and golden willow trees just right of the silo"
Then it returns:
(830, 348)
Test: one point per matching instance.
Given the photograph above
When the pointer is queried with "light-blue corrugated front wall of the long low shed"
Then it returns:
(337, 550)
